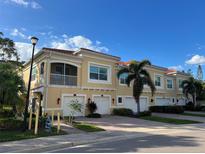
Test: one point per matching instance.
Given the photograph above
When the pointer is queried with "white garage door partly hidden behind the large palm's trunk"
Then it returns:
(130, 103)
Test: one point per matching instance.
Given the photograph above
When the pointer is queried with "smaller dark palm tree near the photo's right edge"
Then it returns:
(192, 87)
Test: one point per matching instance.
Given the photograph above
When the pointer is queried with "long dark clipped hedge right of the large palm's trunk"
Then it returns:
(167, 109)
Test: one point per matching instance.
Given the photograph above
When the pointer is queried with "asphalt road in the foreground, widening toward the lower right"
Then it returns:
(177, 142)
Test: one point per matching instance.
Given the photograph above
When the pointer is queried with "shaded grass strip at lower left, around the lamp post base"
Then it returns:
(14, 135)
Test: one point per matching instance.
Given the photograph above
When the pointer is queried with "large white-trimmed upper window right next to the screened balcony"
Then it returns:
(99, 73)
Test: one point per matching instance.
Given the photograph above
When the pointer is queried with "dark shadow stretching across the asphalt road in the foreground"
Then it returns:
(136, 144)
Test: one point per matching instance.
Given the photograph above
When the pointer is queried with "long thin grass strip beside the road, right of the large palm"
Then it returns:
(169, 120)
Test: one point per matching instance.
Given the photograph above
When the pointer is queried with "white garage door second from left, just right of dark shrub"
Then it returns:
(103, 104)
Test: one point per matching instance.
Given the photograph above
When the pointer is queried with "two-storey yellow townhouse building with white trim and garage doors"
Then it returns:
(61, 76)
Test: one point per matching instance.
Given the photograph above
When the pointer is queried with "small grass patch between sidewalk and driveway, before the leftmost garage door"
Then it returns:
(87, 127)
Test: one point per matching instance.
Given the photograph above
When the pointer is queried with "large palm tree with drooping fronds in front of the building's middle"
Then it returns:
(140, 77)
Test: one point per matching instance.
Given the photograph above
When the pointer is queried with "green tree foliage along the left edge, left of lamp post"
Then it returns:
(11, 85)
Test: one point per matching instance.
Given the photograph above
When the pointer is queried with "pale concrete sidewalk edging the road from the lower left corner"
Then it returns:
(50, 143)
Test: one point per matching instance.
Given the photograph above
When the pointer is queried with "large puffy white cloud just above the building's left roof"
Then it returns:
(77, 42)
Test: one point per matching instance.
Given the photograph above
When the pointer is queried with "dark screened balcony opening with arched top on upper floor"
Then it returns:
(63, 74)
